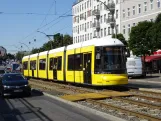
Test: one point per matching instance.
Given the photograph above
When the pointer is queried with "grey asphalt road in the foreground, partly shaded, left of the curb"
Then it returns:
(41, 108)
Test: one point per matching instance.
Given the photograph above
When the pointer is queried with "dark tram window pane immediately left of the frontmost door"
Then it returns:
(78, 62)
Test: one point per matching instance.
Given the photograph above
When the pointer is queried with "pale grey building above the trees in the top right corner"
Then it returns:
(134, 11)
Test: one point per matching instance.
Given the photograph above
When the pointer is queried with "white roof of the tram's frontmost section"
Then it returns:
(104, 41)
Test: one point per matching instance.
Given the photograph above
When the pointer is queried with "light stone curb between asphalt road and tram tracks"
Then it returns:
(93, 111)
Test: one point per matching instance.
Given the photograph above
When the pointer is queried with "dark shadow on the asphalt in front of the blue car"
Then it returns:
(20, 108)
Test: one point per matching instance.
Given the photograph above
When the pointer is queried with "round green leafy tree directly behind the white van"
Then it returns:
(138, 42)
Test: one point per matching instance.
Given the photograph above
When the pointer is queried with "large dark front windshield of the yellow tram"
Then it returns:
(110, 60)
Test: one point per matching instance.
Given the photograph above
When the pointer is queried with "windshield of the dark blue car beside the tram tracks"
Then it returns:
(17, 77)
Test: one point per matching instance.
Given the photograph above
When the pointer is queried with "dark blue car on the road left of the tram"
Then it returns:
(13, 83)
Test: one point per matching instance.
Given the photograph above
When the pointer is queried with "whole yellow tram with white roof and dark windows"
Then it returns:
(97, 62)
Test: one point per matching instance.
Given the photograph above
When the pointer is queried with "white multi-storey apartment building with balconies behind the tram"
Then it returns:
(90, 19)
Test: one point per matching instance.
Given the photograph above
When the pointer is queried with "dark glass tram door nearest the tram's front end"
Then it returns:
(87, 68)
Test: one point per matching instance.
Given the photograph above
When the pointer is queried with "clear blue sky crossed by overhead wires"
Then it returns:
(20, 20)
